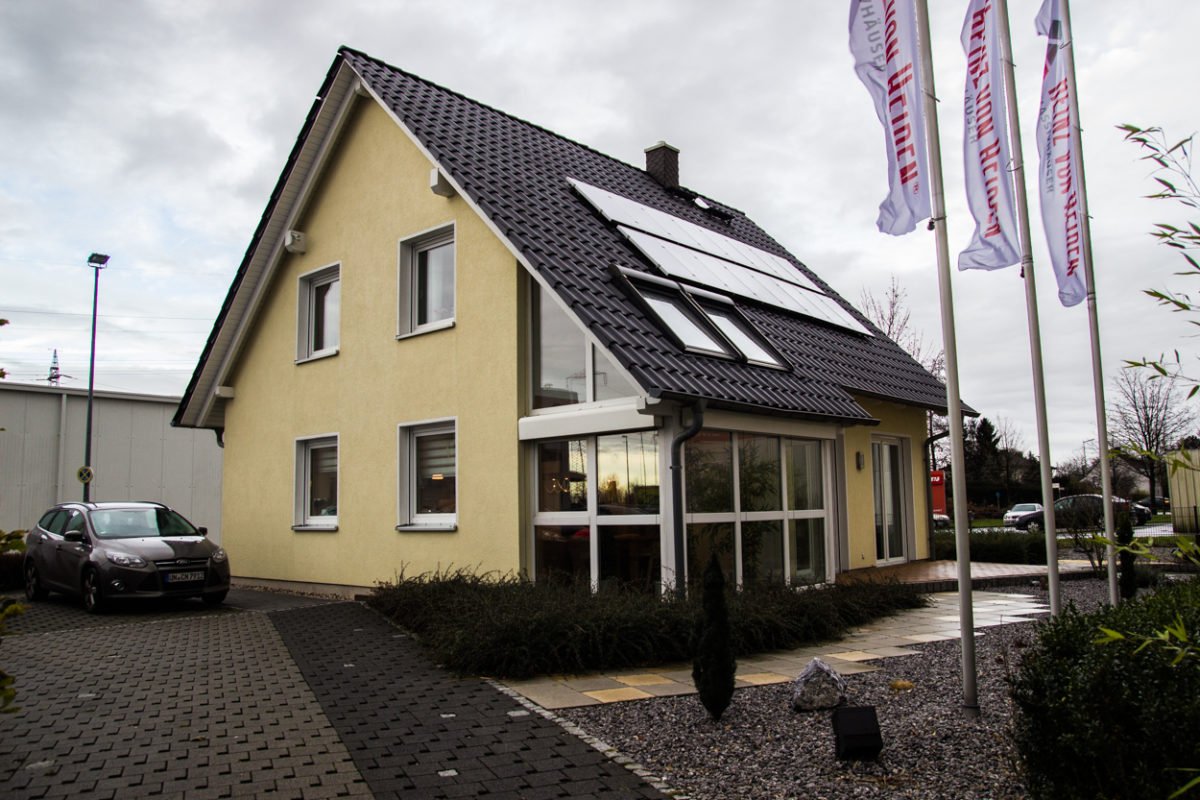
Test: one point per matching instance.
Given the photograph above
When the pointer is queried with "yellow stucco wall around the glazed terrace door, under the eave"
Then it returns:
(899, 423)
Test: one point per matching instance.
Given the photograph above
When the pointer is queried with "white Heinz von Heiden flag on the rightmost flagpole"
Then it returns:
(1063, 202)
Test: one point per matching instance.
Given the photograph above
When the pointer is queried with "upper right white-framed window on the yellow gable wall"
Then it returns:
(428, 281)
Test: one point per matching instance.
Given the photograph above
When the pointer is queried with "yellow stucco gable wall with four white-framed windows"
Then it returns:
(375, 194)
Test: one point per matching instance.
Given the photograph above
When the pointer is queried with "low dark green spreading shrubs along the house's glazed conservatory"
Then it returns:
(509, 628)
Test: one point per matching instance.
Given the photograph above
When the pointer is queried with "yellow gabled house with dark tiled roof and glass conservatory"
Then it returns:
(461, 340)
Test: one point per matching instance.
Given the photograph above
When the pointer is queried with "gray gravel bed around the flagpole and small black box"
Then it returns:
(761, 749)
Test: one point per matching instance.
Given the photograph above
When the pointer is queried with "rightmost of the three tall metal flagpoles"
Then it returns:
(1102, 426)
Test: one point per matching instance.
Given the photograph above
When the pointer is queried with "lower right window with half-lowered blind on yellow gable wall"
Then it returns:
(429, 477)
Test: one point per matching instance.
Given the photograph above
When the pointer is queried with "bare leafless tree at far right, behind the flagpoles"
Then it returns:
(1149, 419)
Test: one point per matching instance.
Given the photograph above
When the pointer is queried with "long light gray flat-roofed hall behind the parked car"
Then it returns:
(136, 454)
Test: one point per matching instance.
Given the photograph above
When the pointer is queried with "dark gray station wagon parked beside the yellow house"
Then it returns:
(106, 552)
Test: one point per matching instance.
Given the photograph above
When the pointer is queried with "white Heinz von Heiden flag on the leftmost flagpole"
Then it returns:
(884, 43)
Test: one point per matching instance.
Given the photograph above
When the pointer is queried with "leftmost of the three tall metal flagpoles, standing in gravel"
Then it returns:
(953, 402)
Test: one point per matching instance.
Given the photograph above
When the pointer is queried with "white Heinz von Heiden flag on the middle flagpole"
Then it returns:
(986, 146)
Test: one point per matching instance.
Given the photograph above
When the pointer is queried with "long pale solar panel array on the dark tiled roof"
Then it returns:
(691, 252)
